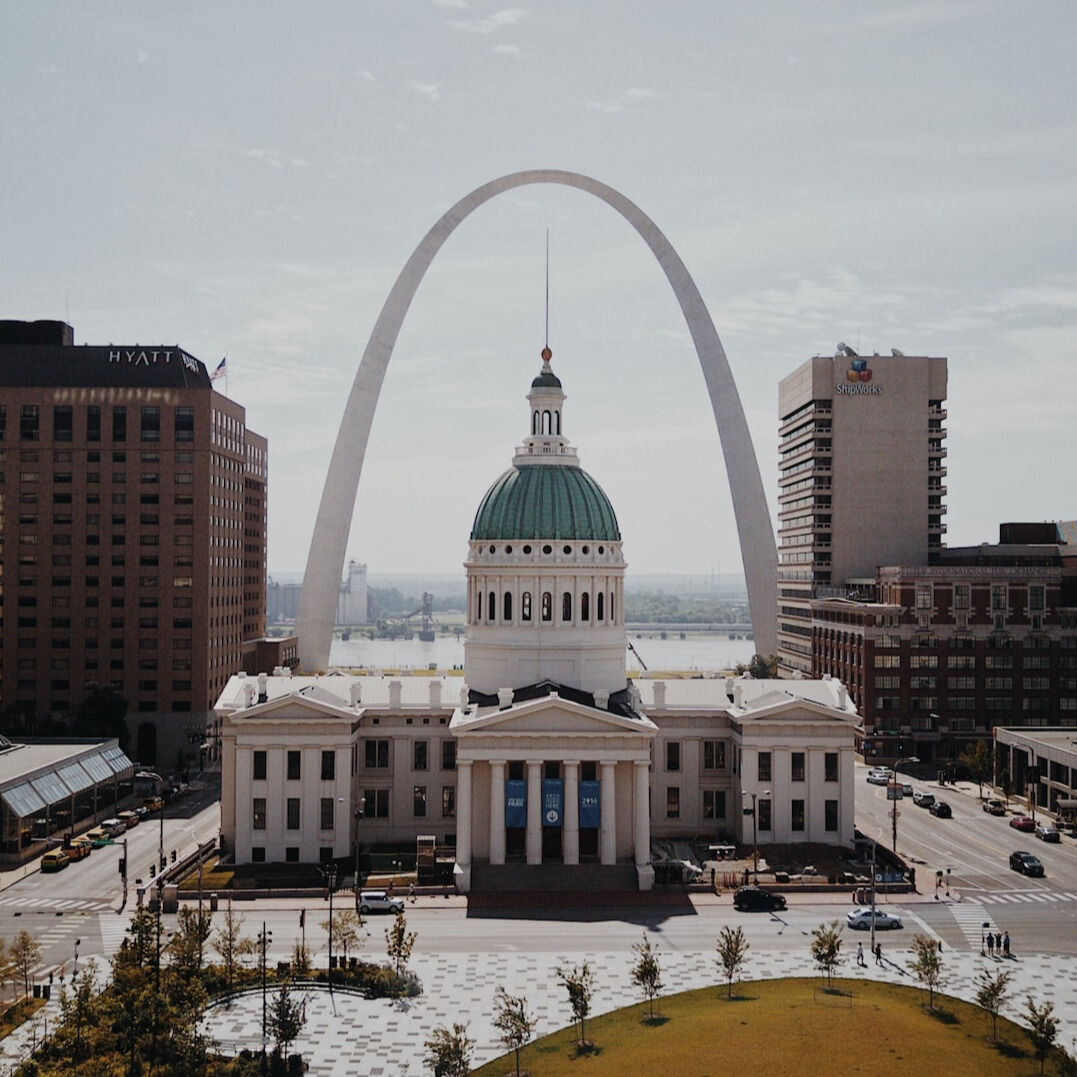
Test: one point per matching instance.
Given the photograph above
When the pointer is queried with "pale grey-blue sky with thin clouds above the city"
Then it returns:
(248, 179)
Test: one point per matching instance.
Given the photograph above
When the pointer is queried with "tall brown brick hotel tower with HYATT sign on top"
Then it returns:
(133, 520)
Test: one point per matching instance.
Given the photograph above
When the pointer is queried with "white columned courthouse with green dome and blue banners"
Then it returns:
(544, 753)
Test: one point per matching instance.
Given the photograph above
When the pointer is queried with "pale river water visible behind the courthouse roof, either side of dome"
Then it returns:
(695, 652)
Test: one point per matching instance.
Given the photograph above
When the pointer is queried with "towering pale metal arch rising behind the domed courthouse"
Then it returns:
(321, 584)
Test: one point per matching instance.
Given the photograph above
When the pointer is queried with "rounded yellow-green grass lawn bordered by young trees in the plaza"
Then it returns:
(787, 1028)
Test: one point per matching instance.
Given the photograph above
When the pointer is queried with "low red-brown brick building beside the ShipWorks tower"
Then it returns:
(938, 656)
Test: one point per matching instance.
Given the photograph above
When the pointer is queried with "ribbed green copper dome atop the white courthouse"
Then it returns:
(546, 501)
